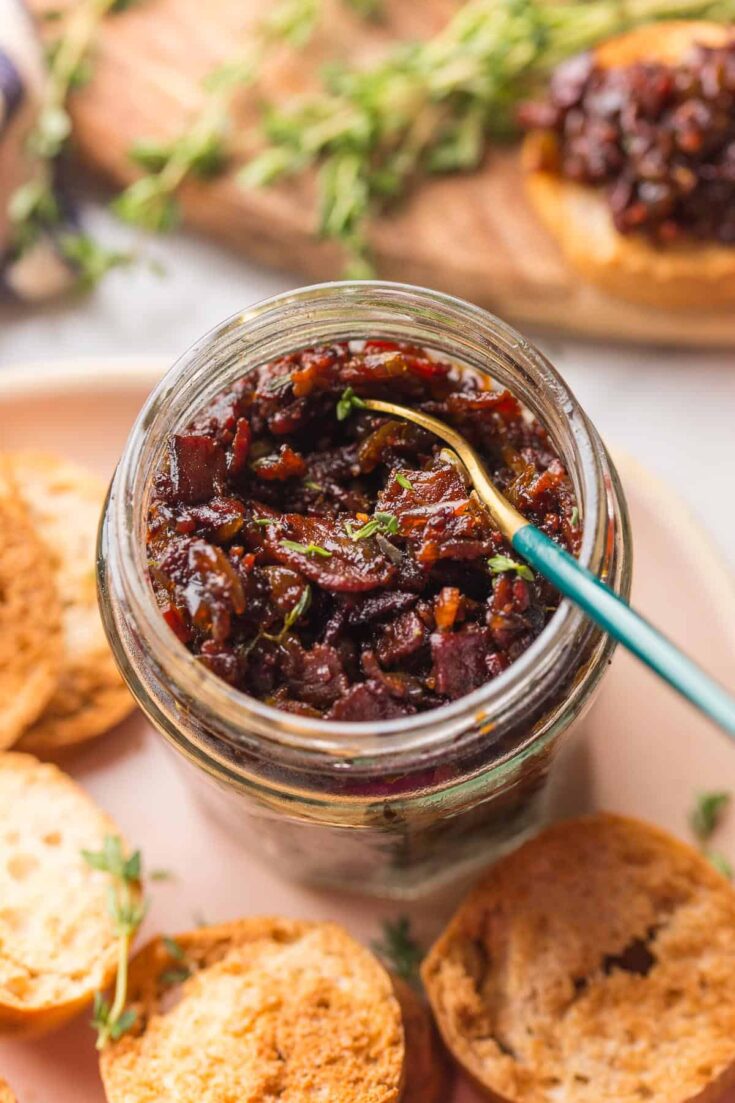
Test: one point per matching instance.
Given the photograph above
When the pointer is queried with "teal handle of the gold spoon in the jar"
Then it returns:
(616, 617)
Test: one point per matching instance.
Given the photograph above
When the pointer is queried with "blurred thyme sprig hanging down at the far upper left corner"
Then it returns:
(34, 207)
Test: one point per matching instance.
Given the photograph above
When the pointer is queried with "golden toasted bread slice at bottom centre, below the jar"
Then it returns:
(273, 1009)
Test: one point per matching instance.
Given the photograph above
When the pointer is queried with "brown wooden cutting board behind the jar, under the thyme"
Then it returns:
(473, 235)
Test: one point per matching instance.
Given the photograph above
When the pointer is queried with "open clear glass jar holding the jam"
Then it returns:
(397, 809)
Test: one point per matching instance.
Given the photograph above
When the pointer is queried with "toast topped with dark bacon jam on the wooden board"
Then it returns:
(630, 165)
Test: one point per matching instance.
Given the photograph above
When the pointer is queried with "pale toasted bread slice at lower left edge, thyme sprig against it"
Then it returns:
(57, 941)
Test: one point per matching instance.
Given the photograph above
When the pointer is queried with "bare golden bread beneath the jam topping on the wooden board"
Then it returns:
(681, 276)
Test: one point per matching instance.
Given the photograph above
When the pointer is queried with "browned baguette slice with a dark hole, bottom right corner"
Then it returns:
(593, 966)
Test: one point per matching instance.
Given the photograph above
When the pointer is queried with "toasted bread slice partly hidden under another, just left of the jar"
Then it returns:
(66, 504)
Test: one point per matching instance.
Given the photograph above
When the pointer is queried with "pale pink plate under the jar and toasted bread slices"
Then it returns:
(641, 751)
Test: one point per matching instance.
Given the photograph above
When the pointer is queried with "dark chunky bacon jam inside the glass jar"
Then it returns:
(332, 562)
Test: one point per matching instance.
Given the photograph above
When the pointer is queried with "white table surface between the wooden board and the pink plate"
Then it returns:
(673, 410)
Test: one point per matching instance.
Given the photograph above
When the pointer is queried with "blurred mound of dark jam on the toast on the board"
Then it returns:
(661, 140)
